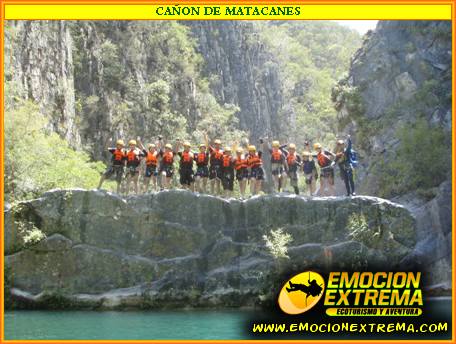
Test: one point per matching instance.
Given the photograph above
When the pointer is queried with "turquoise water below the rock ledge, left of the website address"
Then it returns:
(125, 325)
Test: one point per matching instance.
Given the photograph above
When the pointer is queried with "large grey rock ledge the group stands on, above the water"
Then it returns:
(78, 248)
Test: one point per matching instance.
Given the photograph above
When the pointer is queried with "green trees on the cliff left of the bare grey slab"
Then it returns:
(149, 80)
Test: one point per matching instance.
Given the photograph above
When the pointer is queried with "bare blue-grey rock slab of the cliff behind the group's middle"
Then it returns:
(242, 72)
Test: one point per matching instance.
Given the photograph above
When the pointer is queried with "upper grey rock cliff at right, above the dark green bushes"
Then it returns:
(401, 73)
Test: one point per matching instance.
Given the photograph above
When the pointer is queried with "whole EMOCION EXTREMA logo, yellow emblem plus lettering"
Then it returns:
(354, 293)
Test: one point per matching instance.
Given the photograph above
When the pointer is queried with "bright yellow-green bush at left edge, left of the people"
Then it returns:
(36, 159)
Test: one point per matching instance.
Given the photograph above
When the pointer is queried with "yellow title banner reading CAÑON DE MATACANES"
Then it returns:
(232, 11)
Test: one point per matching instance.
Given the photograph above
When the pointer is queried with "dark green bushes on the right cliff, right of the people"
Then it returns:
(421, 161)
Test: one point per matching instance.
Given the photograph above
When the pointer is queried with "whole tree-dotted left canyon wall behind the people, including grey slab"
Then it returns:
(97, 80)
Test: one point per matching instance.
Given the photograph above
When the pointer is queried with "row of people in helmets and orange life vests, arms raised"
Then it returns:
(221, 167)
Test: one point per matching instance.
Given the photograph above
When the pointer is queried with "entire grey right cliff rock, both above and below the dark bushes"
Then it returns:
(402, 74)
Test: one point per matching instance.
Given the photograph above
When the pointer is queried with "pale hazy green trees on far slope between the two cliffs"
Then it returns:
(312, 56)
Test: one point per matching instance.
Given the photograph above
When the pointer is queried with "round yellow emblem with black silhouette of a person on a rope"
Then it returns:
(301, 292)
